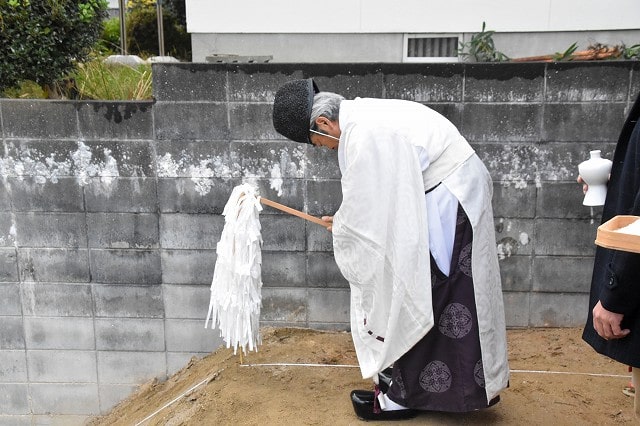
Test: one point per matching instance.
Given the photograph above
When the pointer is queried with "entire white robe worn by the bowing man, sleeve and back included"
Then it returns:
(381, 230)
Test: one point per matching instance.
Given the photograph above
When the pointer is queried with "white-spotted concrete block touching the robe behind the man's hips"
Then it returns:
(514, 237)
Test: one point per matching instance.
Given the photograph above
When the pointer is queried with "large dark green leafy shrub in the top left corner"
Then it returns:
(41, 40)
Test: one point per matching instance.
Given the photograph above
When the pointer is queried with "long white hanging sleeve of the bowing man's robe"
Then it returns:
(381, 245)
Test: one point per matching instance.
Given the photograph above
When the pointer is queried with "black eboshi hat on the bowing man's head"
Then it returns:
(292, 109)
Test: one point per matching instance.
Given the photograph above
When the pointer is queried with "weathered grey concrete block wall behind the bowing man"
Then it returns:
(110, 212)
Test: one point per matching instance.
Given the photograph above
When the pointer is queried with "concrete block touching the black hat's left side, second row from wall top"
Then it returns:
(252, 122)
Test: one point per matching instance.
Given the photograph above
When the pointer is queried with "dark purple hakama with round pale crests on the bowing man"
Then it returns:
(443, 371)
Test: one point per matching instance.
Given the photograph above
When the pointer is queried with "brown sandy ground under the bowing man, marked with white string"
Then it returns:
(556, 379)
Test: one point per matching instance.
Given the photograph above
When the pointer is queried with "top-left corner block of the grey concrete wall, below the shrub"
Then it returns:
(39, 119)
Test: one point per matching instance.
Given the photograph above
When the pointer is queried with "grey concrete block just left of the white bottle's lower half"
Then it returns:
(562, 200)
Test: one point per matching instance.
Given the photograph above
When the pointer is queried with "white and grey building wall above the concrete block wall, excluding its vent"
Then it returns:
(374, 30)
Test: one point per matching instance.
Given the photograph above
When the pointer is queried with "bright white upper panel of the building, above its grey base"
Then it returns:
(402, 16)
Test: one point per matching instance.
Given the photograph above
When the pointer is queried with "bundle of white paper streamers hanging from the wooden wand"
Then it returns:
(237, 282)
